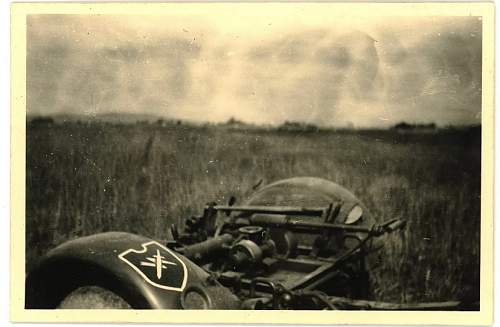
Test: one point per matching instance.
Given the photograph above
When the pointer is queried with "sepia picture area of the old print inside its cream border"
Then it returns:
(183, 160)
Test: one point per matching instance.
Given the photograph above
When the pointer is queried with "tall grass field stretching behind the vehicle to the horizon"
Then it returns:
(88, 178)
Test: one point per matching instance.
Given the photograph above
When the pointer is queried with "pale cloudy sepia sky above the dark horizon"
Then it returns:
(323, 70)
